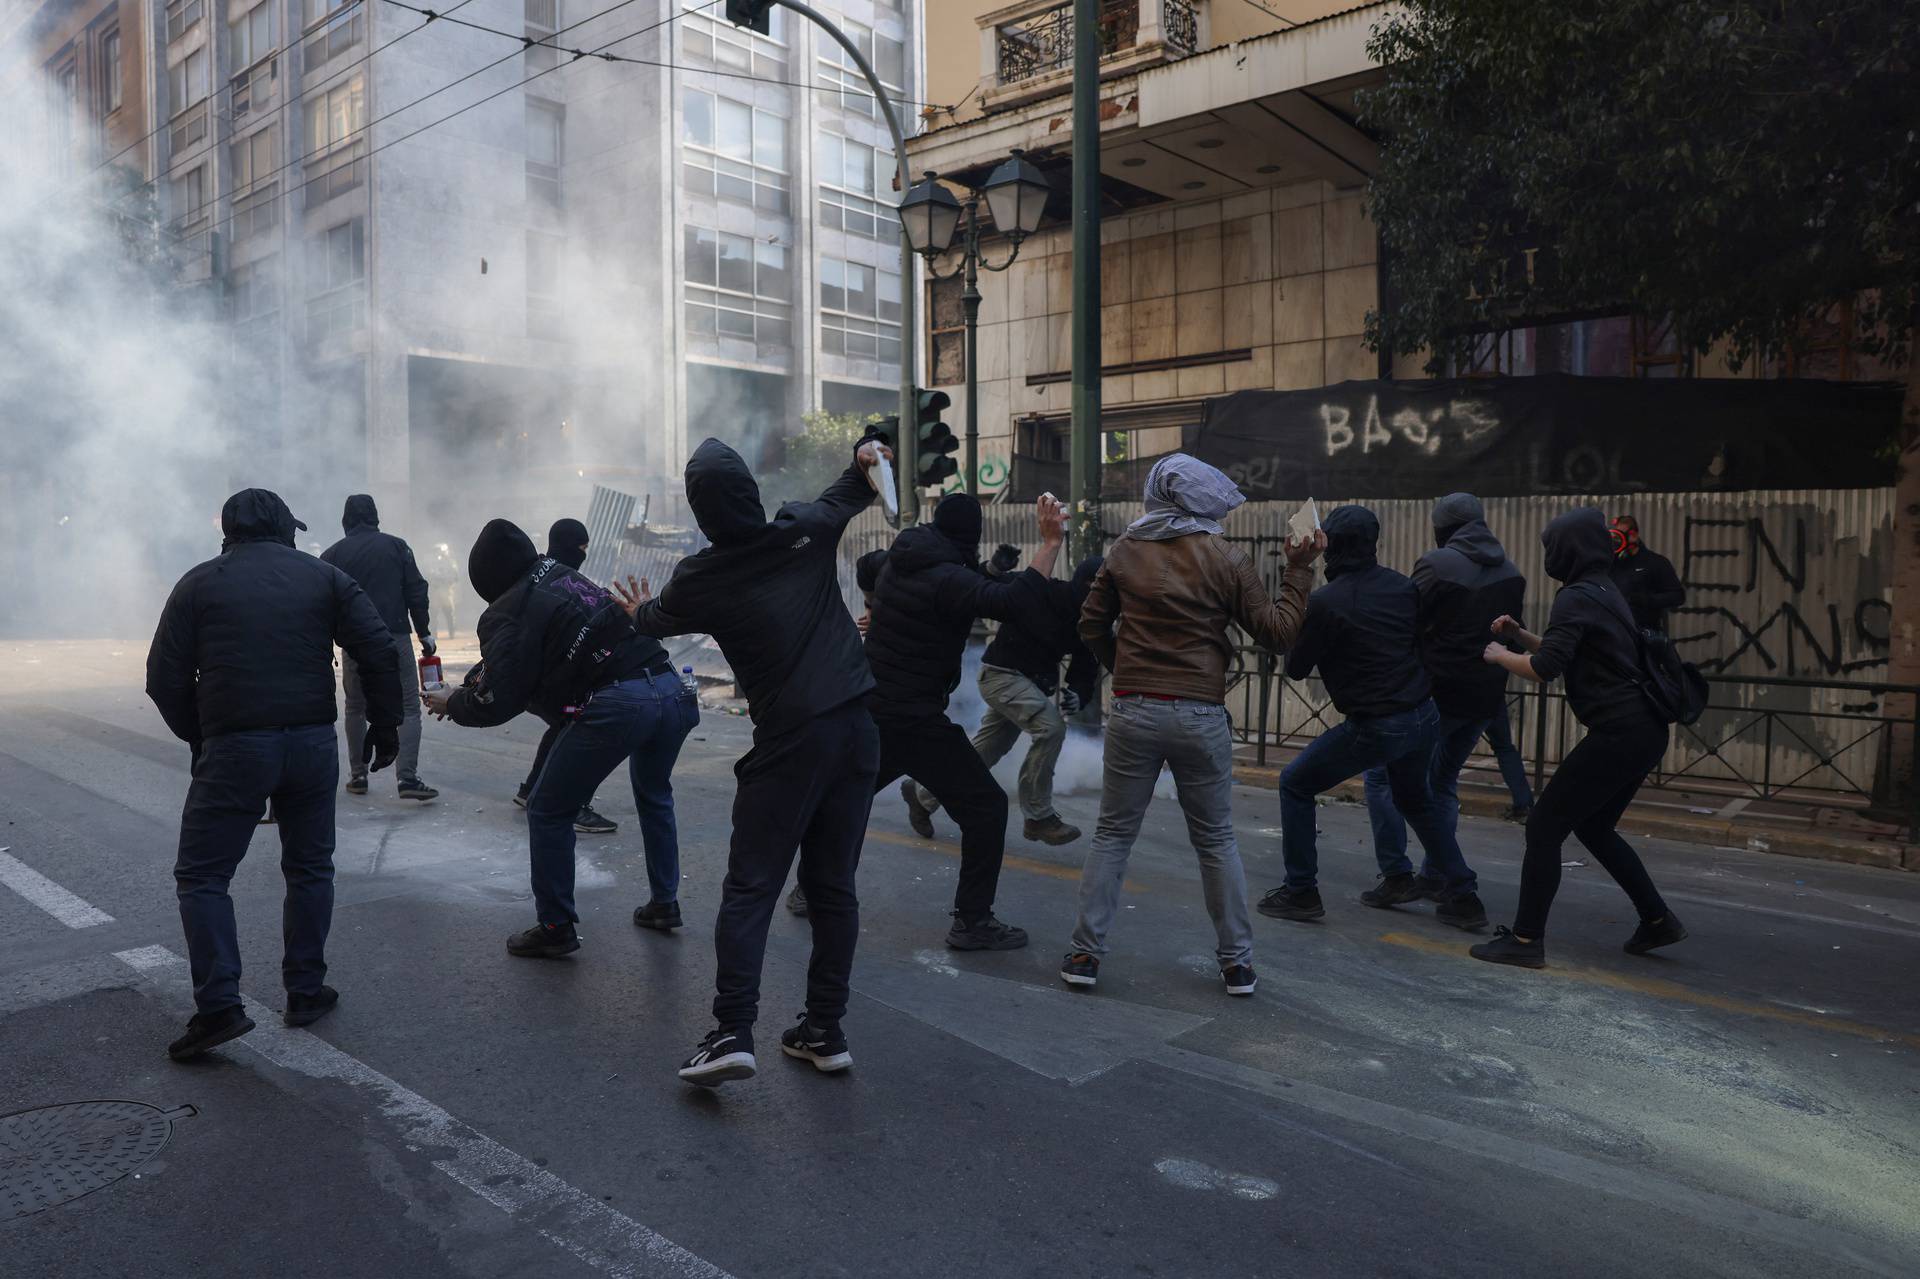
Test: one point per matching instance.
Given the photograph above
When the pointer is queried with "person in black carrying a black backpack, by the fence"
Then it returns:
(1596, 648)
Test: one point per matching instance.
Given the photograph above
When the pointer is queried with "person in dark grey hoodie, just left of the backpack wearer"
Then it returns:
(1464, 585)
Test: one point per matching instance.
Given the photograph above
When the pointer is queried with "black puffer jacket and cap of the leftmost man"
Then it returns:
(247, 640)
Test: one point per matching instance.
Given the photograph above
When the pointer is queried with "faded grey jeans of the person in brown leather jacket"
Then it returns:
(1193, 738)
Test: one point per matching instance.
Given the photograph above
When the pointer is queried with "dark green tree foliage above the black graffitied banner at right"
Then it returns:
(1735, 164)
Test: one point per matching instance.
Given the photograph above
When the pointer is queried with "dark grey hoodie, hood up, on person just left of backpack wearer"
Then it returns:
(1464, 587)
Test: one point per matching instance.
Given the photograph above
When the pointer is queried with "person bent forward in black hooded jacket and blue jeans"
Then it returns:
(564, 648)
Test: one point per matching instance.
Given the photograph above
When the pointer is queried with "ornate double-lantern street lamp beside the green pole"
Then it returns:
(1017, 197)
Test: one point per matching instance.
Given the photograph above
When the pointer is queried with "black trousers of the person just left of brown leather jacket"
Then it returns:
(938, 754)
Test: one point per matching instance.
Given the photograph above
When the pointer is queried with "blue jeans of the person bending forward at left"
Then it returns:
(642, 721)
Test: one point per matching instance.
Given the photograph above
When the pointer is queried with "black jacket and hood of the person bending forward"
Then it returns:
(548, 637)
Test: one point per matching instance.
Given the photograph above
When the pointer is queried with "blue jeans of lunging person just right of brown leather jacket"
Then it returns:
(1404, 746)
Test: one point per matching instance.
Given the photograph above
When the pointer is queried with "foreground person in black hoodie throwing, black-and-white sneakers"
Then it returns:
(767, 591)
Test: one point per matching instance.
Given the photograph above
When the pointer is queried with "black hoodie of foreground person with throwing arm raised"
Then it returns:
(769, 592)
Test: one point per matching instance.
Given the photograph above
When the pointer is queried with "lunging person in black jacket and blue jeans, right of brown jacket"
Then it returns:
(1360, 631)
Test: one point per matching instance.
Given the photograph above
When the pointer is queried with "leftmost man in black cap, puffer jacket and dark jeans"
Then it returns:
(243, 671)
